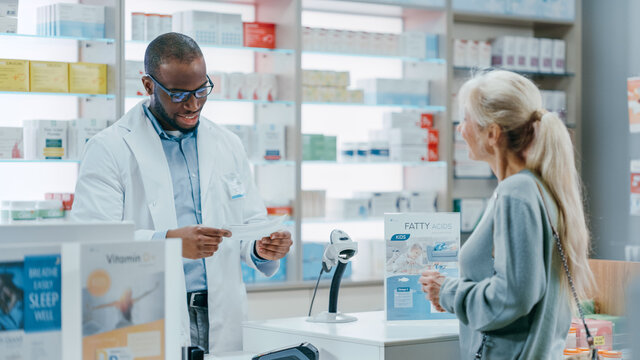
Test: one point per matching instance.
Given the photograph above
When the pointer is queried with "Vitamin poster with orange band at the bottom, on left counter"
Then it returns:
(123, 306)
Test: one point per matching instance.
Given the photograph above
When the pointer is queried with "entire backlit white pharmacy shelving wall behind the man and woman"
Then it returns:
(293, 175)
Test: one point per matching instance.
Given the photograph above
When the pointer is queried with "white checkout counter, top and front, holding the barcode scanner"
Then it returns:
(370, 337)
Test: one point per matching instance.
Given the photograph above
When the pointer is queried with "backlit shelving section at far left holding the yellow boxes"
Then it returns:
(31, 179)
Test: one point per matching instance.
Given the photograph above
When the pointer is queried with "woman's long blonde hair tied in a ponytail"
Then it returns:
(514, 103)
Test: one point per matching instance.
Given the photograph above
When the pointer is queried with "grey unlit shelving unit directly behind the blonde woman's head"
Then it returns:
(484, 26)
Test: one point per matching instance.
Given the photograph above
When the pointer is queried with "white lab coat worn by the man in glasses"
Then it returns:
(125, 176)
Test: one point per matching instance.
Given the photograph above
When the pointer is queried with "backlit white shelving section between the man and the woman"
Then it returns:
(352, 122)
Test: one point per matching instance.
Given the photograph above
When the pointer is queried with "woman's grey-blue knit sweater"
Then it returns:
(515, 298)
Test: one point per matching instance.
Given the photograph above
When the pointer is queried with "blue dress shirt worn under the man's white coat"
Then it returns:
(181, 151)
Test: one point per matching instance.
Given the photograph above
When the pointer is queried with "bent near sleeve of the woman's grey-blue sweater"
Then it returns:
(519, 279)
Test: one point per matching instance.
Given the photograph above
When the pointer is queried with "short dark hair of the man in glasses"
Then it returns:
(168, 47)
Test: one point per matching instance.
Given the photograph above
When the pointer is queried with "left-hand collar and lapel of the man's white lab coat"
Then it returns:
(146, 146)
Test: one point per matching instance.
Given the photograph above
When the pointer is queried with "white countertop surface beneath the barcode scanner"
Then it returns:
(369, 329)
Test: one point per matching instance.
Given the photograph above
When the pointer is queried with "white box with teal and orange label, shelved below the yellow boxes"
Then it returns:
(45, 139)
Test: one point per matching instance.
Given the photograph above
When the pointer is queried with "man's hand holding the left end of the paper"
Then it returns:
(198, 241)
